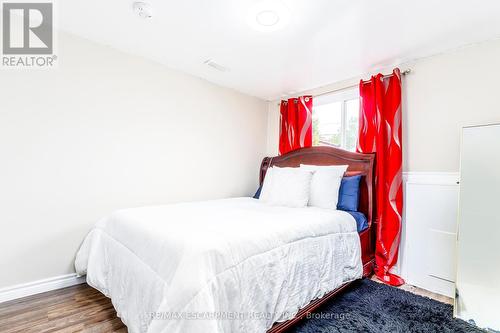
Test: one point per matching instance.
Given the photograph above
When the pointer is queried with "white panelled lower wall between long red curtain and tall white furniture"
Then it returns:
(428, 244)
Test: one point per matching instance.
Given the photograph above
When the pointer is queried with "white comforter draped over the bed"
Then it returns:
(234, 265)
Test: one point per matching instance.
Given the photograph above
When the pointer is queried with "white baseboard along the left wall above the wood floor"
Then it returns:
(40, 286)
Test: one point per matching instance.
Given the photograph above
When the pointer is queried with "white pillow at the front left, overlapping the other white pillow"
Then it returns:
(286, 187)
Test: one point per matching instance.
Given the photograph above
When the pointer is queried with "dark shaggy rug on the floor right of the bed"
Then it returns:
(369, 306)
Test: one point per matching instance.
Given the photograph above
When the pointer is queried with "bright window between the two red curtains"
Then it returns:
(335, 120)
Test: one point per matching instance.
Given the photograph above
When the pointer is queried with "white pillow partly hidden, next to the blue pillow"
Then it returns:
(325, 185)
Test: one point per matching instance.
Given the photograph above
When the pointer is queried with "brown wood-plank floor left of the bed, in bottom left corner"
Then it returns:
(74, 309)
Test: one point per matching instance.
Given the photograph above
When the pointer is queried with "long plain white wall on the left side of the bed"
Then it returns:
(104, 131)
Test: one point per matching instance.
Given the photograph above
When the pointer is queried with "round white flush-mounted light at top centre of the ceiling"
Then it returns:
(268, 15)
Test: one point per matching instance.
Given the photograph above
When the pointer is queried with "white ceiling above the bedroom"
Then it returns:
(325, 41)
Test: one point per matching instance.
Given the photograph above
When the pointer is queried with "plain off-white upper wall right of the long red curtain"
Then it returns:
(443, 94)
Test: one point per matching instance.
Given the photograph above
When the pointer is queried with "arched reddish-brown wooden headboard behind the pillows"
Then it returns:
(358, 164)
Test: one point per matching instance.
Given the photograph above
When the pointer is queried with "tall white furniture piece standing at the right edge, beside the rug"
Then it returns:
(478, 239)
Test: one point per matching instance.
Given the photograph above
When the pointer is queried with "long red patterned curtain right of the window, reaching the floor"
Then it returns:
(380, 133)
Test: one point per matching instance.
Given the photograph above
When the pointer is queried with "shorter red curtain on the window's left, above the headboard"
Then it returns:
(295, 124)
